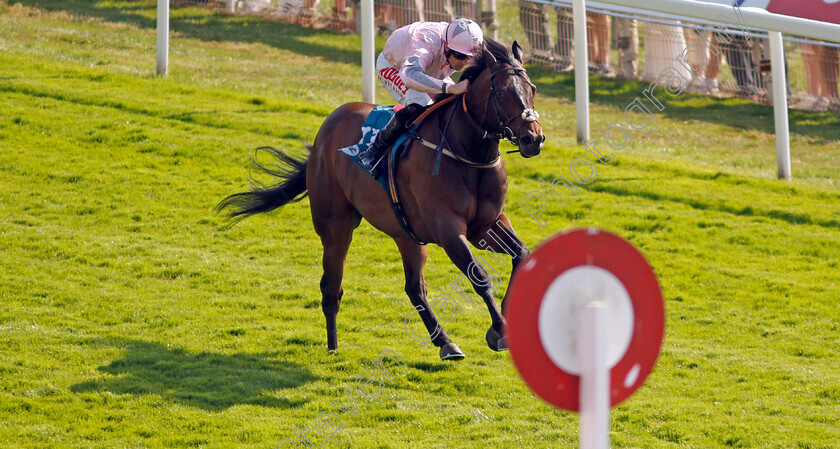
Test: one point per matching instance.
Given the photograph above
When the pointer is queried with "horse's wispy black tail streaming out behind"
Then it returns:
(262, 198)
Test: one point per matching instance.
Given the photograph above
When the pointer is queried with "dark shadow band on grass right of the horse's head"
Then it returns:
(824, 127)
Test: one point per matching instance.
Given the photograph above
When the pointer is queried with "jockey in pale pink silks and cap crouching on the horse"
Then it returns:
(415, 65)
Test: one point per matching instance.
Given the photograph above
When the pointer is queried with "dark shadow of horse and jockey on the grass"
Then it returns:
(210, 381)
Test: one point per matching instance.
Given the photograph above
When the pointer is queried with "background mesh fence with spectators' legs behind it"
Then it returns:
(622, 42)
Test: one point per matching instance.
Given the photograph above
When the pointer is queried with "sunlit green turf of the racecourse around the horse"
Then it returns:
(131, 317)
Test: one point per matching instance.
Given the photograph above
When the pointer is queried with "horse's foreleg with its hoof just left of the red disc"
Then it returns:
(459, 252)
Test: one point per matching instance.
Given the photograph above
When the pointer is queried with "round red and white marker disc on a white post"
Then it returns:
(585, 325)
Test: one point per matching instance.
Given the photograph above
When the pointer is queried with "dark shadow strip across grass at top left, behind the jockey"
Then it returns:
(207, 24)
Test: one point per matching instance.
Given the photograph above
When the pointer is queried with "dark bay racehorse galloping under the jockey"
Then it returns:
(462, 204)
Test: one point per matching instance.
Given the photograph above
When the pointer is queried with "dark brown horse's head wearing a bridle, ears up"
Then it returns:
(502, 84)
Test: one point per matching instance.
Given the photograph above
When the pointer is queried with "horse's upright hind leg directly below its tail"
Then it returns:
(334, 223)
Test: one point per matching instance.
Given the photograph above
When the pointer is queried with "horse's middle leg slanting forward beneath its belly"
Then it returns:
(414, 259)
